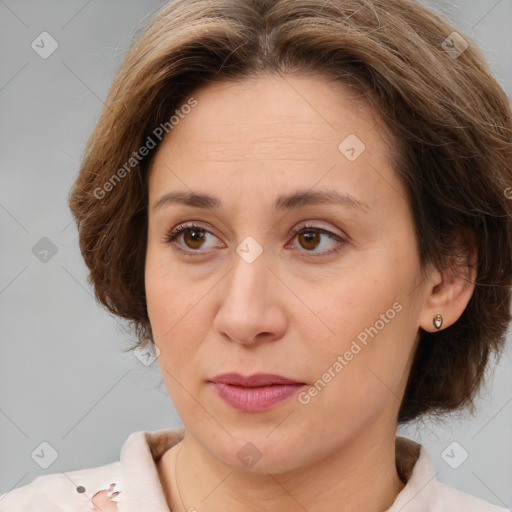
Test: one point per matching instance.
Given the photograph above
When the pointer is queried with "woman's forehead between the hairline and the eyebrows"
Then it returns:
(274, 132)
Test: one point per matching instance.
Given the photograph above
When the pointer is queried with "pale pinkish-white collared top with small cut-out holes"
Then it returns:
(133, 485)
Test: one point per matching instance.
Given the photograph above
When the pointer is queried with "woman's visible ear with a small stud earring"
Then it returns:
(449, 291)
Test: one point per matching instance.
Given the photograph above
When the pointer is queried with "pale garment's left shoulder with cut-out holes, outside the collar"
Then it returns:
(68, 491)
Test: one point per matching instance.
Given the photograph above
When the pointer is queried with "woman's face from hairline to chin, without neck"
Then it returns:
(303, 265)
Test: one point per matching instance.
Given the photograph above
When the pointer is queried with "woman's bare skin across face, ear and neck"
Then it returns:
(288, 312)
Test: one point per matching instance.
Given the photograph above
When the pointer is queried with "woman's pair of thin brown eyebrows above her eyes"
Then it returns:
(286, 202)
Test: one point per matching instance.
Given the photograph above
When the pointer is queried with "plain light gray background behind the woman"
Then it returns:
(63, 376)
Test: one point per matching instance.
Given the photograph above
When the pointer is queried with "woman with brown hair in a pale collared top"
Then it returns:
(302, 206)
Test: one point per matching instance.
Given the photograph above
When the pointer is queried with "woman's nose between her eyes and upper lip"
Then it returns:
(251, 308)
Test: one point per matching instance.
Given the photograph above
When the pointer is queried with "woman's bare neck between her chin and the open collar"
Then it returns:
(359, 475)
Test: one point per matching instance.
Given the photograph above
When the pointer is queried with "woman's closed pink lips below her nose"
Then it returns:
(254, 393)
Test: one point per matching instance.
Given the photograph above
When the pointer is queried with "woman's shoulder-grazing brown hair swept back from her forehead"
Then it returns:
(451, 121)
